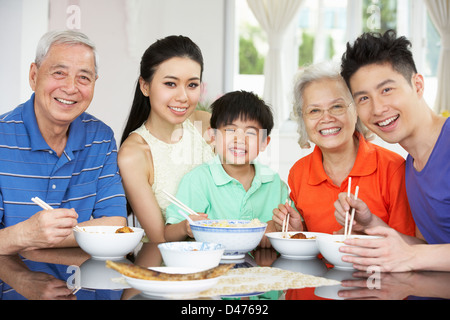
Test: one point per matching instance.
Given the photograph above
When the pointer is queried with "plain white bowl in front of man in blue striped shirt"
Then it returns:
(102, 243)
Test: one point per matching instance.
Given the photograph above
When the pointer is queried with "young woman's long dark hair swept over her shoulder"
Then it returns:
(160, 51)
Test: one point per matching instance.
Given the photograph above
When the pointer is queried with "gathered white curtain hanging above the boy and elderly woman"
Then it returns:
(275, 16)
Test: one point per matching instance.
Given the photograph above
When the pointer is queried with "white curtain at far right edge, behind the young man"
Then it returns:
(439, 11)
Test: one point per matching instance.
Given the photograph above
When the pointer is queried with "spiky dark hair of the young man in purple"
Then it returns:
(378, 48)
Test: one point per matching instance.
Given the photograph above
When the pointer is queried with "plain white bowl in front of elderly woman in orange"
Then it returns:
(294, 248)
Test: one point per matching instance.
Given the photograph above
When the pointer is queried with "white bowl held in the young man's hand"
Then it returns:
(329, 245)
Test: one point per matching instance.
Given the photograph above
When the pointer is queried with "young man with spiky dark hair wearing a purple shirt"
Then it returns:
(388, 93)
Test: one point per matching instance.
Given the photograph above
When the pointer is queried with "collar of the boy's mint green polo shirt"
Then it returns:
(262, 173)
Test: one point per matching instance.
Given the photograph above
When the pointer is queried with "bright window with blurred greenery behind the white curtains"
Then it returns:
(324, 27)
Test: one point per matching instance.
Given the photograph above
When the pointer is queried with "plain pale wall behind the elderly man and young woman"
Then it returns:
(113, 27)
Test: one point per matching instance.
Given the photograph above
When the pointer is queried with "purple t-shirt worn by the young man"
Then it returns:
(429, 191)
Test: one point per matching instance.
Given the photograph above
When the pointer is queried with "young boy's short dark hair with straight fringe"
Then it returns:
(241, 105)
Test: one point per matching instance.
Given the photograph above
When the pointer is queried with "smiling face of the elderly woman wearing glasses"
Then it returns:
(329, 114)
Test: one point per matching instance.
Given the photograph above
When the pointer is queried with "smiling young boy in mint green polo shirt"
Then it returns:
(233, 185)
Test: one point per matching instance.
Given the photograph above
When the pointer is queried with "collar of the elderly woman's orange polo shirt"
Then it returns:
(365, 163)
